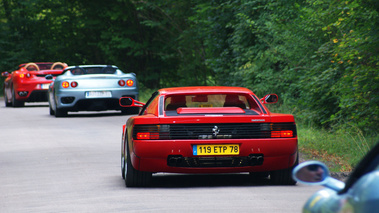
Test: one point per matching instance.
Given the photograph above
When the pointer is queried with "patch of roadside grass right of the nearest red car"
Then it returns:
(340, 150)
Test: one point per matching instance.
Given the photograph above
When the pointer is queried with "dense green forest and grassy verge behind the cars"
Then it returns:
(320, 56)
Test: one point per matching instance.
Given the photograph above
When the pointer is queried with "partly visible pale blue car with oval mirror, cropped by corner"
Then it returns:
(360, 193)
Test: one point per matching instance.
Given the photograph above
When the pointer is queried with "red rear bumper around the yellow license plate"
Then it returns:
(160, 156)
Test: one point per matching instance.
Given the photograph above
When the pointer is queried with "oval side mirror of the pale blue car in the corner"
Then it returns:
(316, 173)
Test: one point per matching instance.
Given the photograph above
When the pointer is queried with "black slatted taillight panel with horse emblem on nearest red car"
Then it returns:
(205, 131)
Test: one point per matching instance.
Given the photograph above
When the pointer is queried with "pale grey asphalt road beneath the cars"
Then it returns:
(72, 164)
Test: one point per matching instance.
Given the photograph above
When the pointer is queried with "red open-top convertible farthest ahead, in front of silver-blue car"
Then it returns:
(28, 83)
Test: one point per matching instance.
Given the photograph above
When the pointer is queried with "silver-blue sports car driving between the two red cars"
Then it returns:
(91, 88)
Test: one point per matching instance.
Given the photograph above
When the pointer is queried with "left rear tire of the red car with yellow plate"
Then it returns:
(135, 178)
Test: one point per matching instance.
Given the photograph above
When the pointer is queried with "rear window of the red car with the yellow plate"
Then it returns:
(174, 102)
